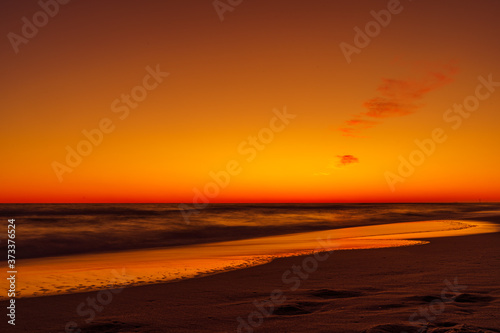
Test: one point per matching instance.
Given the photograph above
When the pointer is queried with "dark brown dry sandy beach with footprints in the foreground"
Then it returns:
(449, 285)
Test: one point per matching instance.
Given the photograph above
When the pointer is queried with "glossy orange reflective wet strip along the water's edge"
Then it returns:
(86, 273)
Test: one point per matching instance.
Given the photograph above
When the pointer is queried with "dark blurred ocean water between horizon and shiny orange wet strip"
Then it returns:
(45, 230)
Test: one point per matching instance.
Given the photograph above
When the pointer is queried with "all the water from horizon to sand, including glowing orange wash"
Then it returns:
(70, 248)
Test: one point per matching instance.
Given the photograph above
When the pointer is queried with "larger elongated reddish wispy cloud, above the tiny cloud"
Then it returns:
(398, 97)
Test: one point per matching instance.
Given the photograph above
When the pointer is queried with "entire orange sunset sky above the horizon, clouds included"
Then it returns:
(249, 101)
